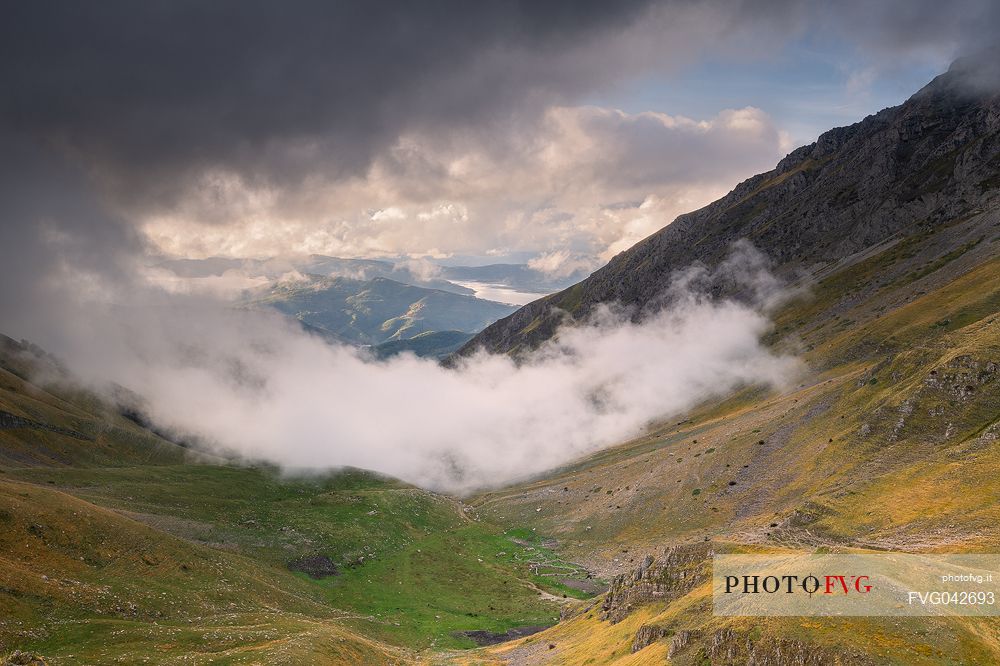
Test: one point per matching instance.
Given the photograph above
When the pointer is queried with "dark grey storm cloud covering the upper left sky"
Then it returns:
(147, 92)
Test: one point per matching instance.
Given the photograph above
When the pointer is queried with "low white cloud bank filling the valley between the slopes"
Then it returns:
(256, 385)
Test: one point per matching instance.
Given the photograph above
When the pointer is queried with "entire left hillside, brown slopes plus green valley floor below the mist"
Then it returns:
(109, 528)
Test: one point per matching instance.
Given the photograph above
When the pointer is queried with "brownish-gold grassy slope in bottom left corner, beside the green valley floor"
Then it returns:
(85, 585)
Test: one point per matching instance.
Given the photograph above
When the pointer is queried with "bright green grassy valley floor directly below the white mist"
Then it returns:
(412, 566)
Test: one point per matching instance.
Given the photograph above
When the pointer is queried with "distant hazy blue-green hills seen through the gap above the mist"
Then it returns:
(371, 301)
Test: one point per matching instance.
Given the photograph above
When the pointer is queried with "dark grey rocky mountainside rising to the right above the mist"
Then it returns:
(926, 162)
